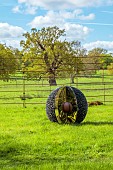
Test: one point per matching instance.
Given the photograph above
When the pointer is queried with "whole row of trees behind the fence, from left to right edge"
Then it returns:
(47, 54)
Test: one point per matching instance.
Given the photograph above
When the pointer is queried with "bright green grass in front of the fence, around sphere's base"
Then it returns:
(28, 140)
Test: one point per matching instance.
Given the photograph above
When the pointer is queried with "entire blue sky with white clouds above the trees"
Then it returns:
(90, 22)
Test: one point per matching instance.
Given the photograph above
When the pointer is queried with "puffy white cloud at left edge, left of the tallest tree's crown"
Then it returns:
(10, 34)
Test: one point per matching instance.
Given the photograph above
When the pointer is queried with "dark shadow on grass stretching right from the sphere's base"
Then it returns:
(97, 123)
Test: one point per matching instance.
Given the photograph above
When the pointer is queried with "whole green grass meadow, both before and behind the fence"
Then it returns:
(29, 141)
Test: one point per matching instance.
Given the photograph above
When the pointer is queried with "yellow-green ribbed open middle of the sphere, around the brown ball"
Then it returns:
(65, 94)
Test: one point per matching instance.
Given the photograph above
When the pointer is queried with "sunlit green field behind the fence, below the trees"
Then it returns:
(19, 90)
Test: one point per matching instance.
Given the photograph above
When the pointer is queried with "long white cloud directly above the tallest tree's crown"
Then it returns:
(59, 18)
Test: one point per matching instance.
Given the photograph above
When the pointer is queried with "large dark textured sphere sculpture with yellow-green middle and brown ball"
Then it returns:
(66, 105)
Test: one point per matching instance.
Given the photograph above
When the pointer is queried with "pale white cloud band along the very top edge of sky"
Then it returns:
(65, 4)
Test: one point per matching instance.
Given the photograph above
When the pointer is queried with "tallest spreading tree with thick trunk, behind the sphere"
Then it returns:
(47, 52)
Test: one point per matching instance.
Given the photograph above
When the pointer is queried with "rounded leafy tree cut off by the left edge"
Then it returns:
(8, 62)
